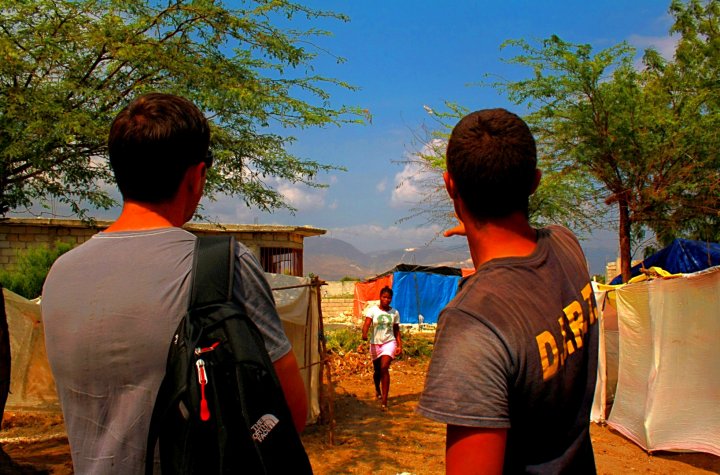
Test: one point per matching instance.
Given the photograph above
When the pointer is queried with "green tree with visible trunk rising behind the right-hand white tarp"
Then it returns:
(639, 133)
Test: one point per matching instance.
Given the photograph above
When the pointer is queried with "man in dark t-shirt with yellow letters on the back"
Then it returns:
(514, 366)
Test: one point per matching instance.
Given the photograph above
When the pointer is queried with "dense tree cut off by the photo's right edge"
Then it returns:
(692, 80)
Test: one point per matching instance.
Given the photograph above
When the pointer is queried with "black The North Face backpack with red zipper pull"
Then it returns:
(220, 408)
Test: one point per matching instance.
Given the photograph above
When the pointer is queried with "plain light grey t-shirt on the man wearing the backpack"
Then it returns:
(110, 308)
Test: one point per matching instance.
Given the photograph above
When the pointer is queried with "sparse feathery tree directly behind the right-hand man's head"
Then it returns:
(564, 196)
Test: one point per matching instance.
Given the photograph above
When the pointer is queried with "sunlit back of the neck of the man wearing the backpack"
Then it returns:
(137, 216)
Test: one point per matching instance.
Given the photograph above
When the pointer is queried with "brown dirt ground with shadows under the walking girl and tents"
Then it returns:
(366, 440)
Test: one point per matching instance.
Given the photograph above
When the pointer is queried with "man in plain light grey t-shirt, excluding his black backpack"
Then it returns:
(112, 305)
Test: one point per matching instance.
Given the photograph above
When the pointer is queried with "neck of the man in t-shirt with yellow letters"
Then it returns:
(511, 236)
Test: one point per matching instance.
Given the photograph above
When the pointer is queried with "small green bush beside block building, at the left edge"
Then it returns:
(33, 265)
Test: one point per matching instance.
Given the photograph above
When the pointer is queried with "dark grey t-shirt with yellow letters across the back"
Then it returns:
(517, 349)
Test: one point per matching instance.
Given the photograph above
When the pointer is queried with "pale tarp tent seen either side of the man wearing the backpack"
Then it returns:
(32, 386)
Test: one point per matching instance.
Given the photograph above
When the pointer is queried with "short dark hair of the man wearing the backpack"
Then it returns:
(152, 143)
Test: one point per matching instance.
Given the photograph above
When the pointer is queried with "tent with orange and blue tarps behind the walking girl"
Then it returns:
(417, 290)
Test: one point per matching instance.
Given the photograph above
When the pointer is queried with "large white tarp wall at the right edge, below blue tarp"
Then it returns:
(668, 389)
